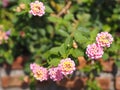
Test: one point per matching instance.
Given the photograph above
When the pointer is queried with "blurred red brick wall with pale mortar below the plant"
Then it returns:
(14, 78)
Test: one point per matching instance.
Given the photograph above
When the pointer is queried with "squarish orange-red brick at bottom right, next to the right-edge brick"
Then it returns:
(104, 83)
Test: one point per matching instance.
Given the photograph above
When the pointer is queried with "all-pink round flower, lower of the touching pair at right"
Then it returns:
(94, 51)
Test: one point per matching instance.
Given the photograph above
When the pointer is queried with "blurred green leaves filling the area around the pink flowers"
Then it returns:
(50, 38)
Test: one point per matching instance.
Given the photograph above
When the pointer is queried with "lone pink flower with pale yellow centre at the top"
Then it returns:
(37, 8)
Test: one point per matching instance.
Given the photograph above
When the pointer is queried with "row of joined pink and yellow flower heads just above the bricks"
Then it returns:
(65, 67)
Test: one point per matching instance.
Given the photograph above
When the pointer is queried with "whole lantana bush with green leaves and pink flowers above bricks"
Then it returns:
(55, 33)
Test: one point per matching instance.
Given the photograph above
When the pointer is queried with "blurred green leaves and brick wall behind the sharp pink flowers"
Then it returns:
(65, 30)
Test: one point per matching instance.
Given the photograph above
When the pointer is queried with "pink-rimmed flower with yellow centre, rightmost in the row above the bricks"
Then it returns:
(67, 66)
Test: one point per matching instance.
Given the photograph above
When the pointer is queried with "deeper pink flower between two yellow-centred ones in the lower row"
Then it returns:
(55, 74)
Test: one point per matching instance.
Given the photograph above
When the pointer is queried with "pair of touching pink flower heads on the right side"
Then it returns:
(96, 50)
